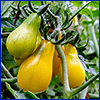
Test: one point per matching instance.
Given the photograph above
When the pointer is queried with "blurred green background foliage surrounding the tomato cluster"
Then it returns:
(90, 60)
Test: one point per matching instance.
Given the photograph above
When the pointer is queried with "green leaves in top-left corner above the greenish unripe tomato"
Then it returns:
(7, 23)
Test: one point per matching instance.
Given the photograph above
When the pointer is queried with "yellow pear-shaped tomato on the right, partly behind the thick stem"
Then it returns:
(76, 72)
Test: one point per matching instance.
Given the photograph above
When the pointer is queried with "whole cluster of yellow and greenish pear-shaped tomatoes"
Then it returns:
(38, 59)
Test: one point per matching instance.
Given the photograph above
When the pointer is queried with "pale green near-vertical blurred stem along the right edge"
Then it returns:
(92, 32)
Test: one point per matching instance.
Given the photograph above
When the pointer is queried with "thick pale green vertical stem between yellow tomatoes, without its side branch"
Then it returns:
(66, 87)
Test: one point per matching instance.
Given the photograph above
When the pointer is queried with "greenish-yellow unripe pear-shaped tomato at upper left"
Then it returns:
(22, 41)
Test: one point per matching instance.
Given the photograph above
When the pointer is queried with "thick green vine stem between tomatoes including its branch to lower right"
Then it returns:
(67, 93)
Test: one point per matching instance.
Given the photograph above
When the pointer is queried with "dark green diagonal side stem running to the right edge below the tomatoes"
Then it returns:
(77, 90)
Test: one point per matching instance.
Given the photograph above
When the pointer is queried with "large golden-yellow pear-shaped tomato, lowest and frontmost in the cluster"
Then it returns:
(35, 72)
